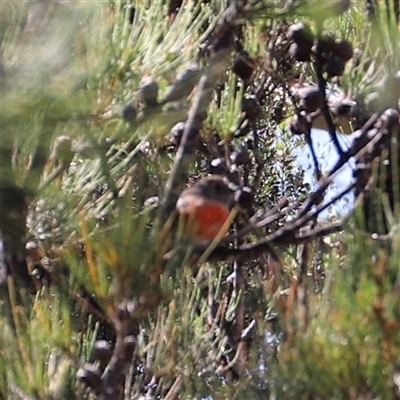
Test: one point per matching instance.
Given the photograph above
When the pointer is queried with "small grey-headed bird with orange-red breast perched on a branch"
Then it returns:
(206, 206)
